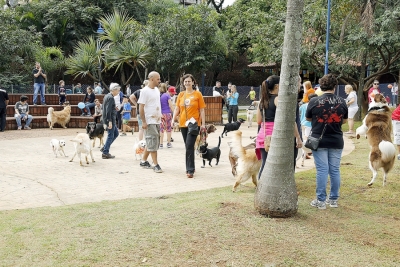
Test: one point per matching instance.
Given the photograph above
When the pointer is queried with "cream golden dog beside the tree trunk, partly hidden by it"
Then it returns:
(247, 163)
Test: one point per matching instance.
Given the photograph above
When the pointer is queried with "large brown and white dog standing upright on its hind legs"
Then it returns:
(377, 125)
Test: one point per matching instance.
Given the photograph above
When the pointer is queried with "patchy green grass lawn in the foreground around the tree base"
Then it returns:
(215, 228)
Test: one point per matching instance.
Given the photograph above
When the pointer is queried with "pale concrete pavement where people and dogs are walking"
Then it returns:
(31, 176)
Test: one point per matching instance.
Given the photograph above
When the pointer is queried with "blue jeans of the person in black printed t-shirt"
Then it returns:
(327, 161)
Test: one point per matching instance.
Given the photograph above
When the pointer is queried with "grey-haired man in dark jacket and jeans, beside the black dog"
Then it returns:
(109, 119)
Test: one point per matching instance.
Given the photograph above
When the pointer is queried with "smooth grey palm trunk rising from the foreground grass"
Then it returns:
(276, 193)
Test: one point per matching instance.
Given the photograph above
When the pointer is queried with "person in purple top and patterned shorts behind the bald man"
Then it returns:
(166, 111)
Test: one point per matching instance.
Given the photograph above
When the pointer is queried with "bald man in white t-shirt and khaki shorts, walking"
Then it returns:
(150, 113)
